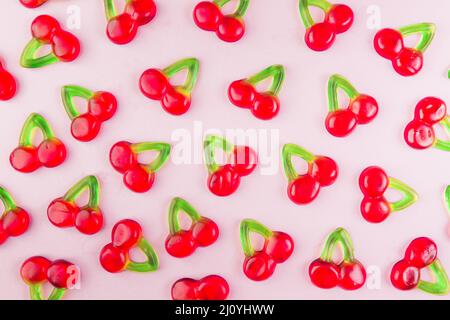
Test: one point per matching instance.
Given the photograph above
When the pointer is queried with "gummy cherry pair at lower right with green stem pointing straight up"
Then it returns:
(349, 274)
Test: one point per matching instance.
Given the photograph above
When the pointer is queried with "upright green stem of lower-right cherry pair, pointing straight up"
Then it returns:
(339, 236)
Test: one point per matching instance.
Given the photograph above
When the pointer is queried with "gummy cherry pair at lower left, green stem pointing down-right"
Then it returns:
(115, 256)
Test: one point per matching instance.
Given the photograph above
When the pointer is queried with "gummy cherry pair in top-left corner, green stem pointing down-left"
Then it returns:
(46, 30)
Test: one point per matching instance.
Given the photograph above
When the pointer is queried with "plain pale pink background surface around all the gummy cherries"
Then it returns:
(274, 36)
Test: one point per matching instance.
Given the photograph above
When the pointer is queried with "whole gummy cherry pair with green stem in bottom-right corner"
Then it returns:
(421, 253)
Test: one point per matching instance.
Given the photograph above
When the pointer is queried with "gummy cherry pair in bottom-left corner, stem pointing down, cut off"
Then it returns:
(38, 270)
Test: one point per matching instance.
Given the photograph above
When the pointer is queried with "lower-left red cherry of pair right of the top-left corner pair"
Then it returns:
(122, 28)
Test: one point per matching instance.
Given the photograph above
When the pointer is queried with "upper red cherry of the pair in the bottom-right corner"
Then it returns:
(421, 252)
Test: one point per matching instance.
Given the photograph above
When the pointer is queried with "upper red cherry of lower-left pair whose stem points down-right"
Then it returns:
(126, 234)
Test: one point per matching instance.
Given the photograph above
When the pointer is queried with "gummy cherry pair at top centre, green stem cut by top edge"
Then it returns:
(229, 28)
